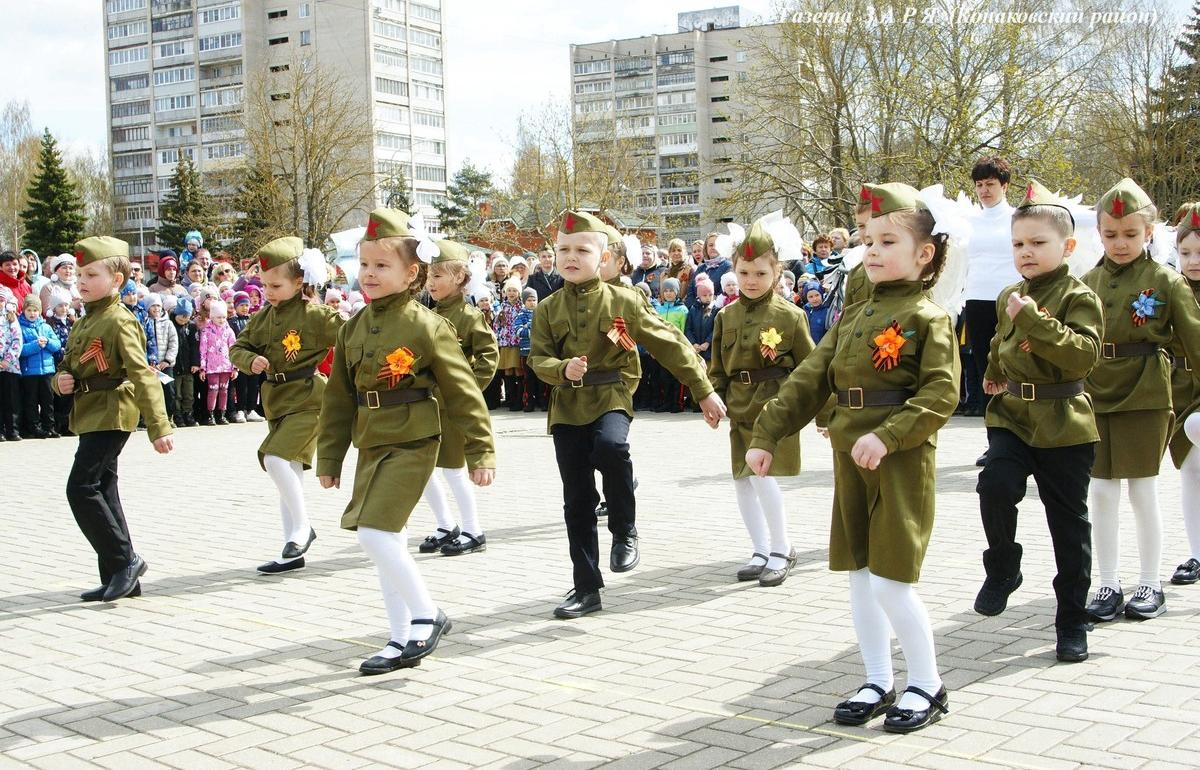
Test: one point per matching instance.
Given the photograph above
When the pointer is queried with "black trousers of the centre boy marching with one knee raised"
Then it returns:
(581, 452)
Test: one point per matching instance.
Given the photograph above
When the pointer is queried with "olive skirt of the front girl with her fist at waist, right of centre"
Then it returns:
(883, 519)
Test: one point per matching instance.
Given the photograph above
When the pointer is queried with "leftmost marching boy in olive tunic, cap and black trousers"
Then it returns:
(106, 369)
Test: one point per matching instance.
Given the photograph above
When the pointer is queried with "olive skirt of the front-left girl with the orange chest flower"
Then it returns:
(388, 483)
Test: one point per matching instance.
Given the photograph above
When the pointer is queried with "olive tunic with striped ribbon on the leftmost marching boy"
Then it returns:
(109, 342)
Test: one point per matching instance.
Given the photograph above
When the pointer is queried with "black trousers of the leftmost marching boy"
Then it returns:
(92, 492)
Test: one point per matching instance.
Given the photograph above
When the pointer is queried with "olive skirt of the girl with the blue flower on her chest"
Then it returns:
(1132, 443)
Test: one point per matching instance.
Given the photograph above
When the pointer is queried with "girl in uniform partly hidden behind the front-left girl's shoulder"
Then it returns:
(448, 287)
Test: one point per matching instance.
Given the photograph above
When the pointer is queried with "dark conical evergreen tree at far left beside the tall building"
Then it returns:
(55, 218)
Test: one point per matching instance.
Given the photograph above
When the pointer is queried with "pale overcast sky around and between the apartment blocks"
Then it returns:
(503, 57)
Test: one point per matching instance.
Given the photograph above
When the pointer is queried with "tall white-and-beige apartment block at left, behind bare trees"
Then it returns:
(178, 75)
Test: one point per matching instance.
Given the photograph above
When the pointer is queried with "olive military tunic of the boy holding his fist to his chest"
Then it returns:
(1064, 330)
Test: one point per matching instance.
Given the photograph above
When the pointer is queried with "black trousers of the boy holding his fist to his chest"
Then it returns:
(1063, 476)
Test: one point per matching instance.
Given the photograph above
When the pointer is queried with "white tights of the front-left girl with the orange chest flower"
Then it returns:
(399, 574)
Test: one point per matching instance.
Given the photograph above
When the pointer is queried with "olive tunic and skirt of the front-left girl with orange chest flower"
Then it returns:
(398, 444)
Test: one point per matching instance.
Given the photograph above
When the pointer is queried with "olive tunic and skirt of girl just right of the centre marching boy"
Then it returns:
(737, 347)
